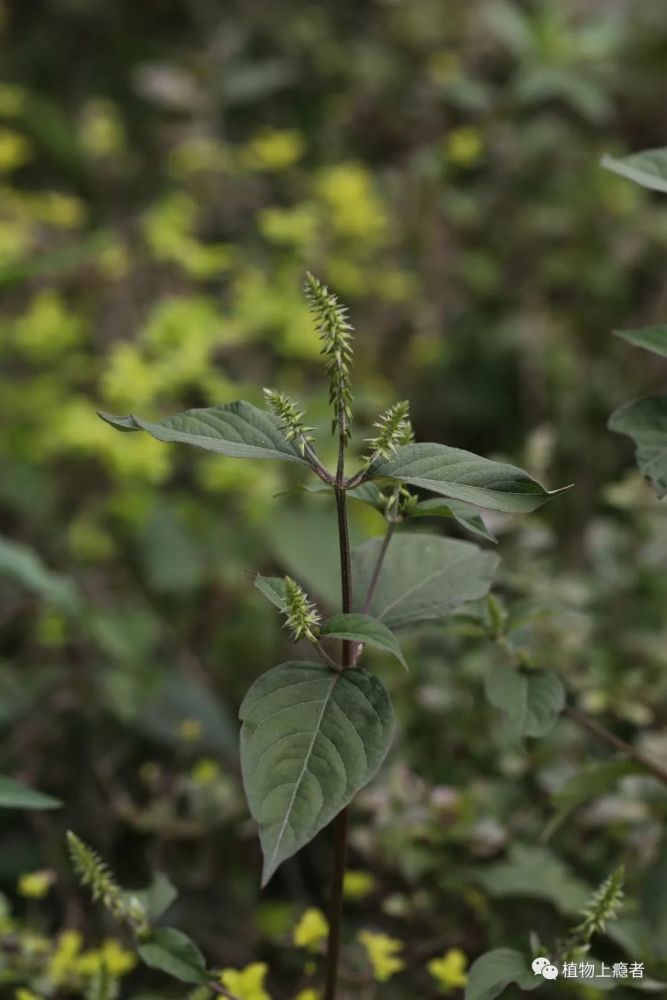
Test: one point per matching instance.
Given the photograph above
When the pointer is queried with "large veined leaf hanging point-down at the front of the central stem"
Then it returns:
(311, 738)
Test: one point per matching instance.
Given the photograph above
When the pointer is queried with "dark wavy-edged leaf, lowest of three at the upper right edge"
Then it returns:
(645, 421)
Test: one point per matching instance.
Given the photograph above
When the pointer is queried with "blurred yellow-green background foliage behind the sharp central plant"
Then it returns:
(167, 173)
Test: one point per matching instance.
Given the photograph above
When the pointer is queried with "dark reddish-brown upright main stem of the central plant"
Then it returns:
(341, 821)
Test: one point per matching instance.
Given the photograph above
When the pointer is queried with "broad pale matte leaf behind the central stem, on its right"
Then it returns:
(422, 577)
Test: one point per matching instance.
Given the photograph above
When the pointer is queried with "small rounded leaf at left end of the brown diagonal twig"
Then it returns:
(530, 701)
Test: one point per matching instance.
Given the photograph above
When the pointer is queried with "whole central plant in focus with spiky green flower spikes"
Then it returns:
(314, 733)
